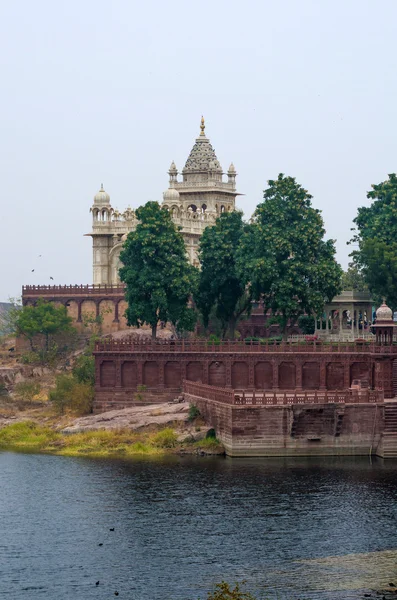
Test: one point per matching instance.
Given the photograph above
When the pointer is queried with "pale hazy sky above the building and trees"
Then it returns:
(112, 91)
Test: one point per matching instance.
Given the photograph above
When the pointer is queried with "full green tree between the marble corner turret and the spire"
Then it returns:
(158, 277)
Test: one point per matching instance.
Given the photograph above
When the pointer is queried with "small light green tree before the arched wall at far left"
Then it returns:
(40, 323)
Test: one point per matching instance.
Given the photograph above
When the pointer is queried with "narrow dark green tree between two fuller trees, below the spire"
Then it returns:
(222, 286)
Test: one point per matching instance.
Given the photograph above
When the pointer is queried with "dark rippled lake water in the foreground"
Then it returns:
(304, 528)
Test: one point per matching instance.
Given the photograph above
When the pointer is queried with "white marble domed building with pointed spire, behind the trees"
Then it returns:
(194, 203)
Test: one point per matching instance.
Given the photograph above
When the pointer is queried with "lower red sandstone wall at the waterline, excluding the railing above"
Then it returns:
(296, 430)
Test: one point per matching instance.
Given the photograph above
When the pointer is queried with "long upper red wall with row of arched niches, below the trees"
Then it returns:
(122, 366)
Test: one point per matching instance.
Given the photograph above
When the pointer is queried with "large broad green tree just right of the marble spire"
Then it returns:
(284, 255)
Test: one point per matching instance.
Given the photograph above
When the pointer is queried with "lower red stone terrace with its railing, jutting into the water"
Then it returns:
(338, 423)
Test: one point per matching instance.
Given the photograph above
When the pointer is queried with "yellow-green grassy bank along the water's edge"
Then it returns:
(28, 436)
